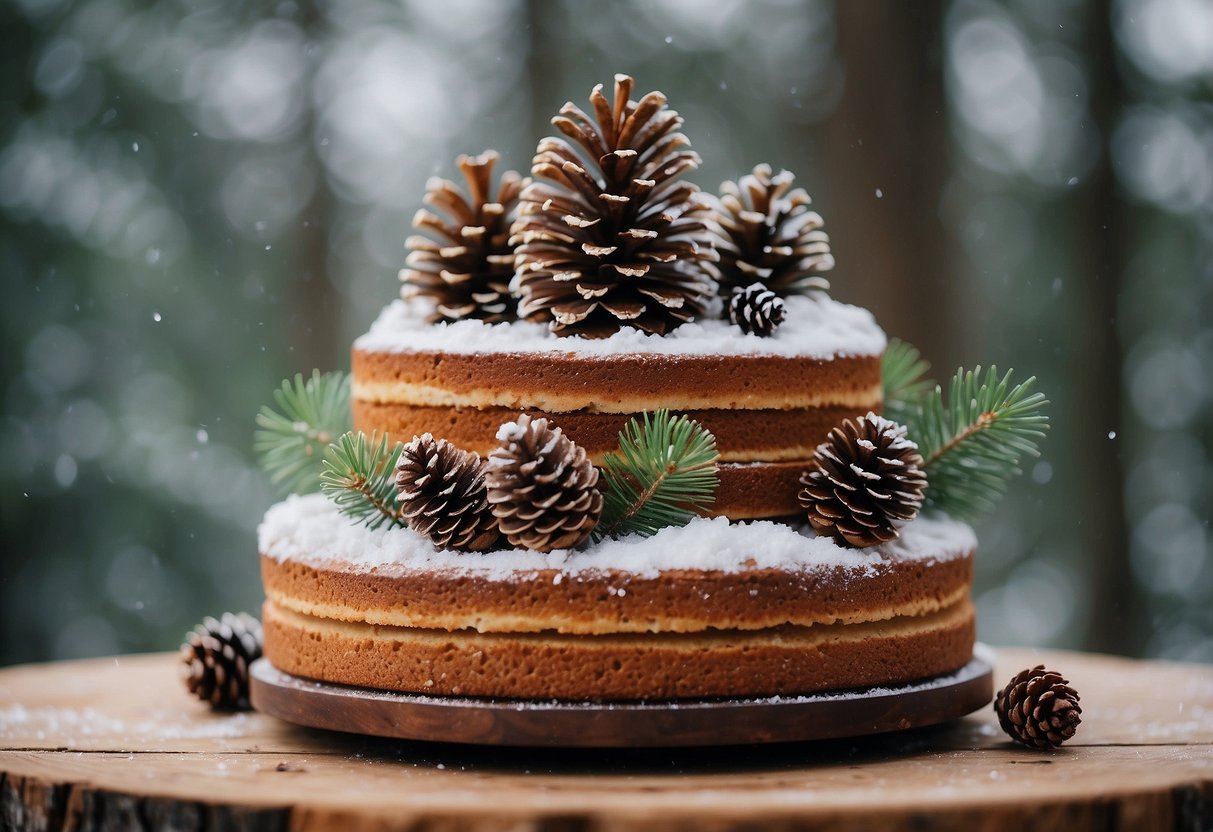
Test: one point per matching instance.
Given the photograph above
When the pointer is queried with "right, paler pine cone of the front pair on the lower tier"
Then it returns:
(543, 487)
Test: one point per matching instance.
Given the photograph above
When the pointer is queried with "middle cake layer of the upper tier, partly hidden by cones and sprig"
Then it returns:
(770, 436)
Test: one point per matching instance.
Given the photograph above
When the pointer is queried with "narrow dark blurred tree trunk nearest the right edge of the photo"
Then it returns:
(1118, 624)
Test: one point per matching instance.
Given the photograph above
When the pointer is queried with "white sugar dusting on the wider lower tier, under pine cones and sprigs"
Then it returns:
(310, 529)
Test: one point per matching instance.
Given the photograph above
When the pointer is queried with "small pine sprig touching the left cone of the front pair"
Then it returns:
(360, 477)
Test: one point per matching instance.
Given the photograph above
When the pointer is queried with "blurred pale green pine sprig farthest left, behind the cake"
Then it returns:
(292, 440)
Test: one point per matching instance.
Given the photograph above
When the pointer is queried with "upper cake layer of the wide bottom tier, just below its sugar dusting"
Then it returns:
(593, 603)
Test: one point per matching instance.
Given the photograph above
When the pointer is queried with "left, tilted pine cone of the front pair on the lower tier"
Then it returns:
(443, 495)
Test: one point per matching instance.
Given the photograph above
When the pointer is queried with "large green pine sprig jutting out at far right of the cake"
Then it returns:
(972, 446)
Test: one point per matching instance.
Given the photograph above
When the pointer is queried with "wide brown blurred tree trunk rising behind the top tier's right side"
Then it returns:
(886, 157)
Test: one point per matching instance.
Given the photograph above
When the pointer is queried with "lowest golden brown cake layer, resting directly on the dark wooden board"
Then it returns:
(788, 660)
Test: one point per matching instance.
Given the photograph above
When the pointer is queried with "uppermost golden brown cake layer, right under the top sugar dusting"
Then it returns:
(627, 384)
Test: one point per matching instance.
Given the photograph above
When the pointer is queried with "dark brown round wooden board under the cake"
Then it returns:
(497, 722)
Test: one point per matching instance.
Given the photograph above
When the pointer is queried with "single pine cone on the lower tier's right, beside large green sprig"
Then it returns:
(865, 482)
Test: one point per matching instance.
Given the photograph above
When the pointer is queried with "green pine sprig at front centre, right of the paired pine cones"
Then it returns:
(663, 475)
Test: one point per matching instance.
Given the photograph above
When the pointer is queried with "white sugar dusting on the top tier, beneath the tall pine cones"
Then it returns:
(816, 327)
